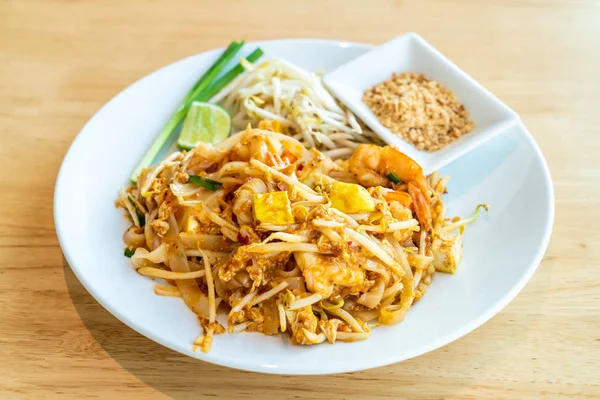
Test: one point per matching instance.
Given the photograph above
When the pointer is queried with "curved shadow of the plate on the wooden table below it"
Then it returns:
(183, 377)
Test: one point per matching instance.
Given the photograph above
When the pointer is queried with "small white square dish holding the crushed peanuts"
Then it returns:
(411, 53)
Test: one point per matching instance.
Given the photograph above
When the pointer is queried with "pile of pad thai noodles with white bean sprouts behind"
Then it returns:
(298, 224)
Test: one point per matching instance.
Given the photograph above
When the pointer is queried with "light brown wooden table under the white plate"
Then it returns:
(60, 61)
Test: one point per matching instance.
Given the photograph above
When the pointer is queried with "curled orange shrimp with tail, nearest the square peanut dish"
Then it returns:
(371, 164)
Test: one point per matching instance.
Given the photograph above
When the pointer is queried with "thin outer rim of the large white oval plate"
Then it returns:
(286, 370)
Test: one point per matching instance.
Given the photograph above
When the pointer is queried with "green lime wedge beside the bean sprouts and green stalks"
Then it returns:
(205, 122)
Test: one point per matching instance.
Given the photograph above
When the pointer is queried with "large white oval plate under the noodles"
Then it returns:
(501, 251)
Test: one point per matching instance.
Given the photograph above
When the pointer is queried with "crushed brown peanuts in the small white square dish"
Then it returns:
(421, 111)
